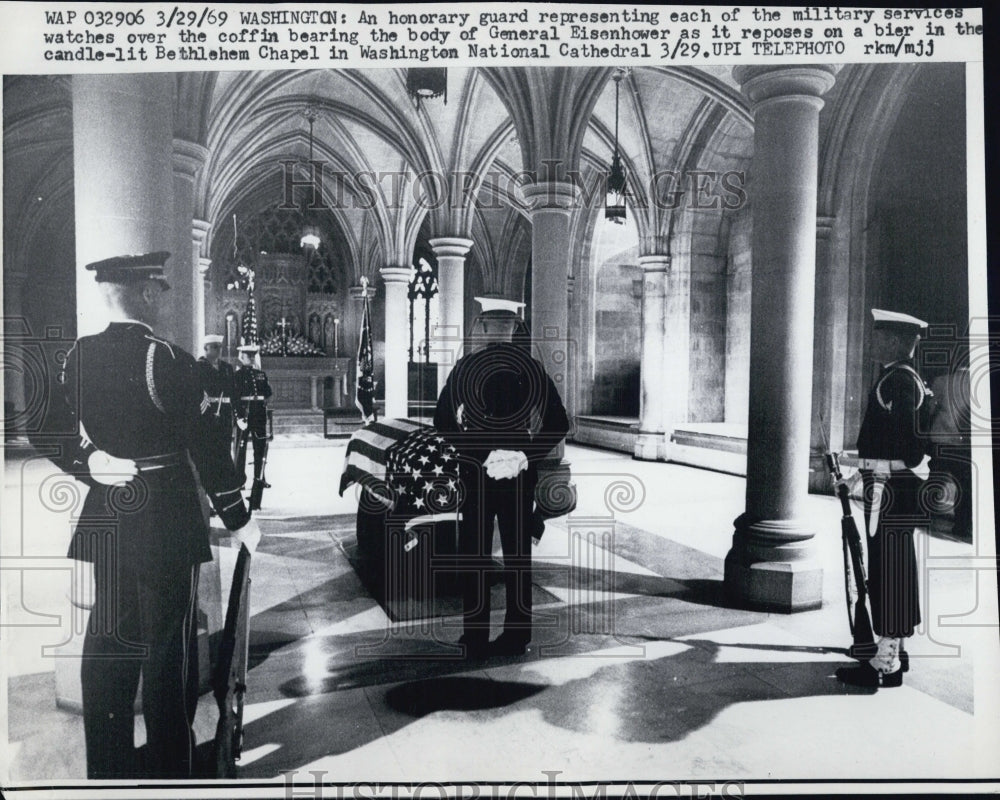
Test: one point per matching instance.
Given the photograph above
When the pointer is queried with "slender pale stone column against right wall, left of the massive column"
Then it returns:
(650, 444)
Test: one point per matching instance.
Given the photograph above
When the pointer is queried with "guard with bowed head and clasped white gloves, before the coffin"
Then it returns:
(503, 414)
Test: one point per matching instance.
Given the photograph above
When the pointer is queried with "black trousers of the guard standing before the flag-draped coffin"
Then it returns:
(509, 501)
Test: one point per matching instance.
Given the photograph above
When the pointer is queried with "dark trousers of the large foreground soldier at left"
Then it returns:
(141, 625)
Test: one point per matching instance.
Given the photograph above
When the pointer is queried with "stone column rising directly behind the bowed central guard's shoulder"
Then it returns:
(551, 204)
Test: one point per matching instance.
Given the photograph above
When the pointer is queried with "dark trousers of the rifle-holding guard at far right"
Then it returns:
(892, 559)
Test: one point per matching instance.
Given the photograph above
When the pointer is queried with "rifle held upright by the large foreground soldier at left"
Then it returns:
(229, 678)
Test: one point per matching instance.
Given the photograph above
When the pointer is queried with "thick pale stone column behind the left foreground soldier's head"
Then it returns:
(123, 175)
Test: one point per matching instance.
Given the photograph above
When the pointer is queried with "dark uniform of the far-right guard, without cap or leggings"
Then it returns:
(890, 443)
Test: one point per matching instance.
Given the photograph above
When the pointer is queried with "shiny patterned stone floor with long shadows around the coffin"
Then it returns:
(638, 670)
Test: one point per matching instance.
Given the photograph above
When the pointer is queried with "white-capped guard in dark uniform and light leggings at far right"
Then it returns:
(892, 448)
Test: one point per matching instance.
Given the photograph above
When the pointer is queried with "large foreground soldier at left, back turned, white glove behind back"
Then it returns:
(128, 423)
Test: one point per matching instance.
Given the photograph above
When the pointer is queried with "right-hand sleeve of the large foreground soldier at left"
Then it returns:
(209, 453)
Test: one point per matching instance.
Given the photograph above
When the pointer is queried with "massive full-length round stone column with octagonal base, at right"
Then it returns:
(772, 563)
